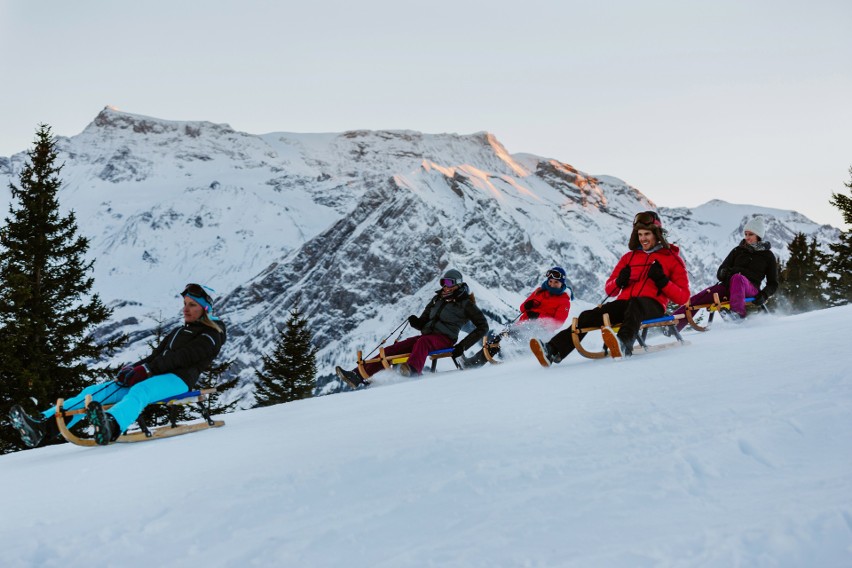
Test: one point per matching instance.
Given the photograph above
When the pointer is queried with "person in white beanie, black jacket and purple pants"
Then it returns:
(741, 274)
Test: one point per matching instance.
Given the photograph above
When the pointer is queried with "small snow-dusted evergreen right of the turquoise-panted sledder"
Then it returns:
(290, 372)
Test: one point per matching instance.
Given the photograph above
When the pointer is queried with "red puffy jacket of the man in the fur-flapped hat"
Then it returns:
(676, 289)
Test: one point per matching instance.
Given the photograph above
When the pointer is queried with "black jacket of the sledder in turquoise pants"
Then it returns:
(186, 351)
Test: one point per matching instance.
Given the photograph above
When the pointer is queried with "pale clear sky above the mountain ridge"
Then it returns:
(745, 101)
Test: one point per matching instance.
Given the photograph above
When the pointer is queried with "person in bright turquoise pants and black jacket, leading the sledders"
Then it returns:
(171, 369)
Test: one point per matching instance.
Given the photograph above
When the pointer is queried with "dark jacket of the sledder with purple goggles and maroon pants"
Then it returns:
(448, 315)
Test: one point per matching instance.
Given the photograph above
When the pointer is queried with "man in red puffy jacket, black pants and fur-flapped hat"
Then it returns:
(646, 278)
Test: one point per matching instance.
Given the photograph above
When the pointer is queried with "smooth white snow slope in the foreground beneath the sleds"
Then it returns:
(733, 451)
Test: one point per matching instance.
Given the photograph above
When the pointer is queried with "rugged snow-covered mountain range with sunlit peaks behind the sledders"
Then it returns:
(356, 225)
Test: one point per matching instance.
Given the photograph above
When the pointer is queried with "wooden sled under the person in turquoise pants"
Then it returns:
(145, 433)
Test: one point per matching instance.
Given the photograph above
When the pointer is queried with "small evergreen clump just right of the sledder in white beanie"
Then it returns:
(803, 278)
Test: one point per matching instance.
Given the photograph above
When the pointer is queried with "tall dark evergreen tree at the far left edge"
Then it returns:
(47, 310)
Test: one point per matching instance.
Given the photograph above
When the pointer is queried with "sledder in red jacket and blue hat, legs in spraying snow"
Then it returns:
(547, 307)
